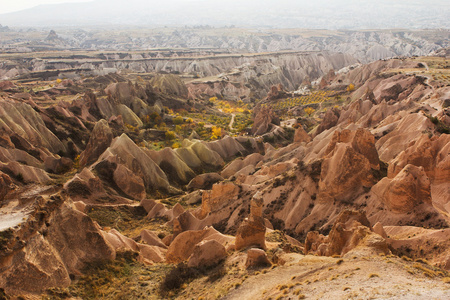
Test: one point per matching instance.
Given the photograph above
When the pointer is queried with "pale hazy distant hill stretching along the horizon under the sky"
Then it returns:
(339, 14)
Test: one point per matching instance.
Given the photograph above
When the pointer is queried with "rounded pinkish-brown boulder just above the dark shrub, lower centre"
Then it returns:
(207, 253)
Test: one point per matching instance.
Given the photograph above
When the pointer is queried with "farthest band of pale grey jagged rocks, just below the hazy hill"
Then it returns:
(364, 45)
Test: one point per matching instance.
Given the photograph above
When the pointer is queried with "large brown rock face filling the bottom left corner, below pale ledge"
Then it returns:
(60, 242)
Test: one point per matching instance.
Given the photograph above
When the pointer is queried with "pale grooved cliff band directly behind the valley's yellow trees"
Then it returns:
(233, 76)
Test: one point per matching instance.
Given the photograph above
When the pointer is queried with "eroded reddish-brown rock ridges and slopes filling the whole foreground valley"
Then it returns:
(116, 187)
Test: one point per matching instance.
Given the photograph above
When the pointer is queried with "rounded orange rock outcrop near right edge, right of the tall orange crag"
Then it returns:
(411, 187)
